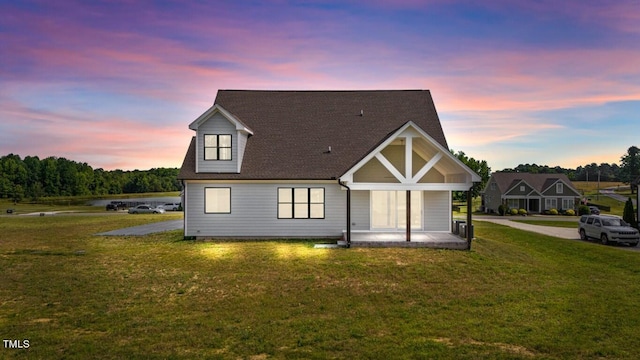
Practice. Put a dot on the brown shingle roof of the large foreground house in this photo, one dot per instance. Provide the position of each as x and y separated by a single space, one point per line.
294 129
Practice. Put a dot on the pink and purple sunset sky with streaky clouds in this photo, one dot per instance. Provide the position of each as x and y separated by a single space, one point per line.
116 83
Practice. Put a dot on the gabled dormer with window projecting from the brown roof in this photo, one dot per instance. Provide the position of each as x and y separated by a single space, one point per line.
221 139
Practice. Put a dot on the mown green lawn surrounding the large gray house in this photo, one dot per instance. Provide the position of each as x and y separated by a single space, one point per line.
516 295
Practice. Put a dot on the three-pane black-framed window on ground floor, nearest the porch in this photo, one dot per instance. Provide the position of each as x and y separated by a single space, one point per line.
300 203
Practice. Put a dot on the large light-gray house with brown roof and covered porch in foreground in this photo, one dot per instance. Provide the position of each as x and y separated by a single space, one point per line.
319 164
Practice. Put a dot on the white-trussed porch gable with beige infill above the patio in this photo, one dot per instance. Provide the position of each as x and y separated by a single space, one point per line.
410 159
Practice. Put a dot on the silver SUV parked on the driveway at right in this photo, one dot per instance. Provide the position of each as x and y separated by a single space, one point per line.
607 228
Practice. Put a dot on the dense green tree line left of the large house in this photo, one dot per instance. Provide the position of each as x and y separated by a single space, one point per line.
33 178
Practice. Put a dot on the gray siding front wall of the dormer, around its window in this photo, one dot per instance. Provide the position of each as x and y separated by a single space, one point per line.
217 124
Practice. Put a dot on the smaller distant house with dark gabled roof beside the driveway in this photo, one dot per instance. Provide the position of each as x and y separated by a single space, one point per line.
535 193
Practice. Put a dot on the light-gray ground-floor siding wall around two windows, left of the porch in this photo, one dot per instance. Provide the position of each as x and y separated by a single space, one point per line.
254 212
